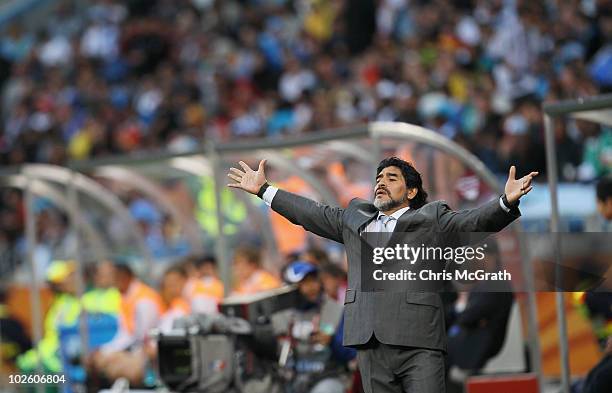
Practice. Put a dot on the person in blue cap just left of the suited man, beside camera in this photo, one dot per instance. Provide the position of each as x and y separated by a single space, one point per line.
313 330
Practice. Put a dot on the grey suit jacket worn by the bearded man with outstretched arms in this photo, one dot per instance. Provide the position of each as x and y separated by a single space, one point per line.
413 319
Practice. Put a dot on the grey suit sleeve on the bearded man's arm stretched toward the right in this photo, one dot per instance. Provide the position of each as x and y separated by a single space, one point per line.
489 217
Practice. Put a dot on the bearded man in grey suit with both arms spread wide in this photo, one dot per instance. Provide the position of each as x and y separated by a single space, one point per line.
399 336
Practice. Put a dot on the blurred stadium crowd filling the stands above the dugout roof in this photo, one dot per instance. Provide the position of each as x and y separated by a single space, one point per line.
116 77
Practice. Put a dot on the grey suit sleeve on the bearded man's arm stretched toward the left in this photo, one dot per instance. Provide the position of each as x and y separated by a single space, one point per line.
323 220
